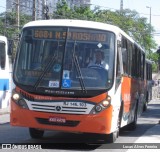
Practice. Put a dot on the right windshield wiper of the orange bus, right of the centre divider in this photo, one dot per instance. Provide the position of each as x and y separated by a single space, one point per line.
78 69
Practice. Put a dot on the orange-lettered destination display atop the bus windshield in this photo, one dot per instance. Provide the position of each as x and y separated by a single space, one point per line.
76 36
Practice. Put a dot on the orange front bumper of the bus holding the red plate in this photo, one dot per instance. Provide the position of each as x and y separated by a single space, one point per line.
93 123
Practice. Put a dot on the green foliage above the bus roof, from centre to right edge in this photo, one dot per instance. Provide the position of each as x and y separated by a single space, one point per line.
128 20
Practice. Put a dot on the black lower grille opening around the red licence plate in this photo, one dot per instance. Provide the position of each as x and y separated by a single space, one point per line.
69 123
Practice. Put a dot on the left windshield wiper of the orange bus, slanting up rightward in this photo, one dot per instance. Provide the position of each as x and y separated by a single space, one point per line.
46 69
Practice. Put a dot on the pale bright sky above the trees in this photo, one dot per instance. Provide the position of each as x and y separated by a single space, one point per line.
139 5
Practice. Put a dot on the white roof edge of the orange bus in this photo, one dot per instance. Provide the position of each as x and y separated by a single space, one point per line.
80 24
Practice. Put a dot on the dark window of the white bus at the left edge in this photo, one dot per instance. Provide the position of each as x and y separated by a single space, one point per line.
2 56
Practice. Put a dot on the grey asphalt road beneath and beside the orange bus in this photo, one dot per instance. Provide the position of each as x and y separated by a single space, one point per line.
60 141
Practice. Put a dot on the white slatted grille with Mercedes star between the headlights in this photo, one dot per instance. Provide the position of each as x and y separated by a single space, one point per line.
66 107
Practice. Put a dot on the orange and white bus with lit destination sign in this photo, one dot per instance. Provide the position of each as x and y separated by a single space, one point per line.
58 89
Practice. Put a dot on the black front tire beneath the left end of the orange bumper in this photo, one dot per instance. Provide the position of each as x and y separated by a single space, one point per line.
36 133
